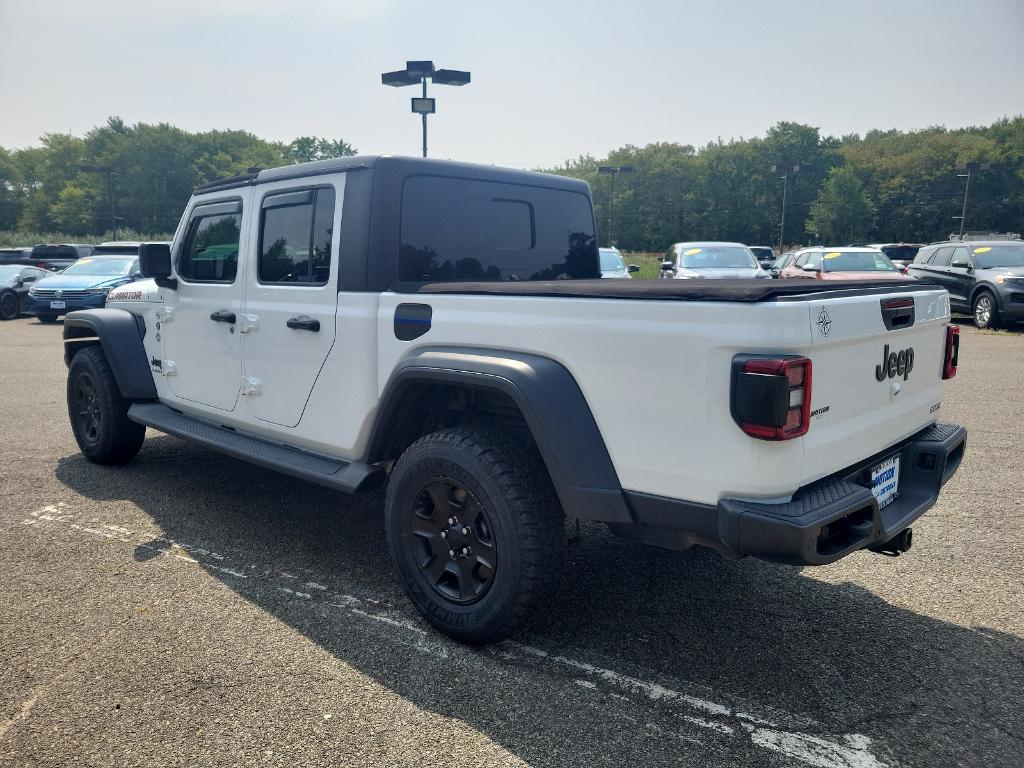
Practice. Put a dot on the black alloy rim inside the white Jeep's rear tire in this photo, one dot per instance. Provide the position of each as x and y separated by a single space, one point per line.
455 541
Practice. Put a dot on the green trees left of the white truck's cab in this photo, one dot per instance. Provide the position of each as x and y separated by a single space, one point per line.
62 186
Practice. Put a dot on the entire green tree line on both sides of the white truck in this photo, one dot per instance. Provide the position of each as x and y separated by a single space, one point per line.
884 187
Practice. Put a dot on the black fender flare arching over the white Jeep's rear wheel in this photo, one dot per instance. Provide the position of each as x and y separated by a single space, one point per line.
553 406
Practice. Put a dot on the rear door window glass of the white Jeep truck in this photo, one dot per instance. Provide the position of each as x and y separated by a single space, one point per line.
296 231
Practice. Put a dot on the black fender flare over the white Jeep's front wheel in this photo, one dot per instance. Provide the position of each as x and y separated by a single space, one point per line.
120 337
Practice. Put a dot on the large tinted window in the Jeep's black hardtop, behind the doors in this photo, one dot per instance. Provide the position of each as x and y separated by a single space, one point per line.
458 230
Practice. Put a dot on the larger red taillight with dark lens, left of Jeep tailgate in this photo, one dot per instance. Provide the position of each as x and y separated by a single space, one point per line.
772 397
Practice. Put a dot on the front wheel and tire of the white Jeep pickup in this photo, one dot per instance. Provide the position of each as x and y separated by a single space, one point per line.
99 414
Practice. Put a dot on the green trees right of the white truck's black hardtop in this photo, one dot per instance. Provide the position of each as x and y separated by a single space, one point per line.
884 187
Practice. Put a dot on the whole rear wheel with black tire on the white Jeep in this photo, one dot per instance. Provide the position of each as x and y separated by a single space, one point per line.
476 532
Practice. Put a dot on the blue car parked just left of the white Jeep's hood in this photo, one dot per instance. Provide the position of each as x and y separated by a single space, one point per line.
84 285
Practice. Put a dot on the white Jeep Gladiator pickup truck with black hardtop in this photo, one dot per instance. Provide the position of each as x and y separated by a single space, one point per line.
443 328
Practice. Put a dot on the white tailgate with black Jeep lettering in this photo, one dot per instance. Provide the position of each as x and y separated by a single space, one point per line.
864 399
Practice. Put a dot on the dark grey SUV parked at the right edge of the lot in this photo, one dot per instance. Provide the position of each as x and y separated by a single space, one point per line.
985 278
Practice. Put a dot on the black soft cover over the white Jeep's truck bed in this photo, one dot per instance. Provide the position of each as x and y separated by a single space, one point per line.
671 290
